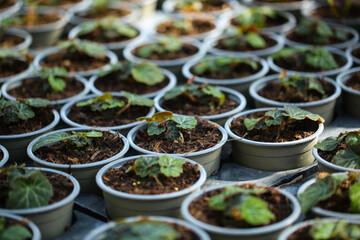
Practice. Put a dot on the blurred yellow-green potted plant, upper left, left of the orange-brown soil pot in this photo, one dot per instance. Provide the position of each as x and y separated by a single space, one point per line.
108 31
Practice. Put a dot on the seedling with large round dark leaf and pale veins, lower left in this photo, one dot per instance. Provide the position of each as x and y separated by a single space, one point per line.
28 188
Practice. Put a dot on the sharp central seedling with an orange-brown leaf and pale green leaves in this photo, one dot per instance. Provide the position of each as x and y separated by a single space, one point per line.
169 125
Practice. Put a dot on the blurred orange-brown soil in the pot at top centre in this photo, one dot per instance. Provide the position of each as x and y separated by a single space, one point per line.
197 26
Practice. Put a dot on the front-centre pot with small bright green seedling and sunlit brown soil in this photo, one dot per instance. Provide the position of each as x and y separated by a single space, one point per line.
148 185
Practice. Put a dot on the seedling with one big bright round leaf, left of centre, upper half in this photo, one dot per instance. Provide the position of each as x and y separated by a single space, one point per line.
143 72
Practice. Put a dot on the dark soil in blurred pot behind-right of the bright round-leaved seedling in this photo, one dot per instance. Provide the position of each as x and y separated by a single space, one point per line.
186 51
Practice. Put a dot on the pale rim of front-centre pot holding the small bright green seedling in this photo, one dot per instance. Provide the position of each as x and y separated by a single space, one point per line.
143 197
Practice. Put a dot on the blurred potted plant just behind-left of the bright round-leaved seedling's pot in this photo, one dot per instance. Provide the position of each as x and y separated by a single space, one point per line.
80 57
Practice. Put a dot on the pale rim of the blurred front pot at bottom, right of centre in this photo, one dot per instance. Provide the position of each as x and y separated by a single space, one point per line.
296 211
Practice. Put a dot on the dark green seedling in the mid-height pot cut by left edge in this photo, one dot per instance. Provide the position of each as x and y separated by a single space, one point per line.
15 111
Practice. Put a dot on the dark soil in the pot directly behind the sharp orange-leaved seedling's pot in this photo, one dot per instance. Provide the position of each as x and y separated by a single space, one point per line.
183 105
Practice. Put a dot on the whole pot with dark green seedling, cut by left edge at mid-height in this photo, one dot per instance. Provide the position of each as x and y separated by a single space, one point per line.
23 120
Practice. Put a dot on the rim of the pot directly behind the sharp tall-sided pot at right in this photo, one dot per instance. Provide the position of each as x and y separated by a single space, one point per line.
261 83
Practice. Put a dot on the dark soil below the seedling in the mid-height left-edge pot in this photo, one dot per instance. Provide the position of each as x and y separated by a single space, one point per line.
43 117
